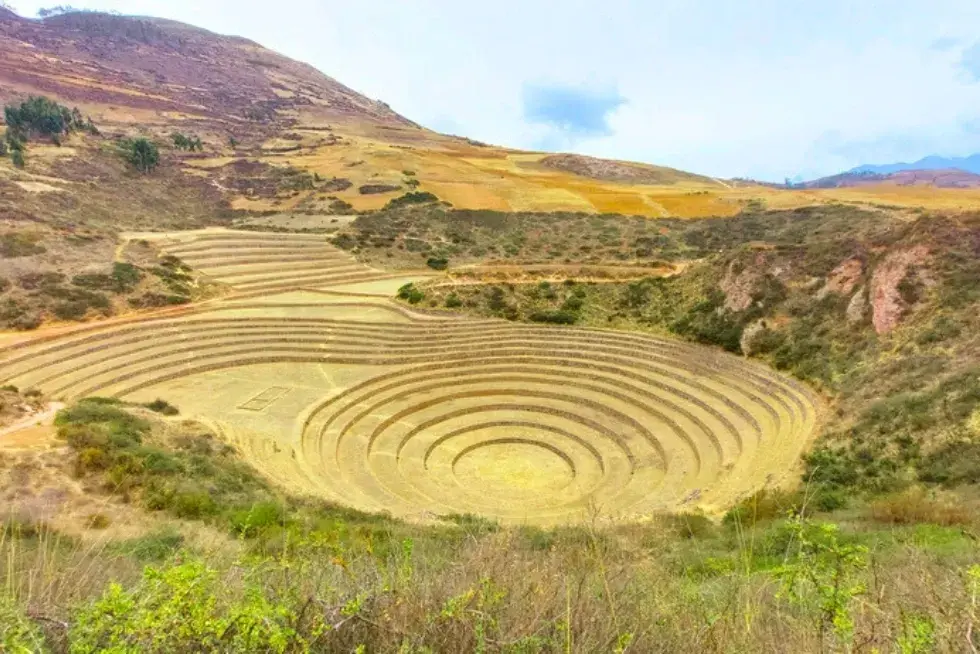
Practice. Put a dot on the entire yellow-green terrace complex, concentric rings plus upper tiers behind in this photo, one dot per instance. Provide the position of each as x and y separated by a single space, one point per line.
357 400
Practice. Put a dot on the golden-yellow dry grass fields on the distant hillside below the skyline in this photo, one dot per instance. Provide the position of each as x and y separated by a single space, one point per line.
474 177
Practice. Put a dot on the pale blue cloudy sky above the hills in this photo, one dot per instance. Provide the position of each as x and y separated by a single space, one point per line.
756 88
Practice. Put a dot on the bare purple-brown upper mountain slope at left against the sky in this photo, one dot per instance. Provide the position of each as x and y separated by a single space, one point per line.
169 68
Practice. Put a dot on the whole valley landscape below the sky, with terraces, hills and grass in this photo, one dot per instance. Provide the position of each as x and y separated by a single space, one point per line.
282 370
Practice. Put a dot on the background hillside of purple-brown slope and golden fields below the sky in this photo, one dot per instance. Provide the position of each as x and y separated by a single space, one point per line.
263 114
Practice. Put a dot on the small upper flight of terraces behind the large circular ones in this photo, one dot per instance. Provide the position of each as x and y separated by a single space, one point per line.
259 263
